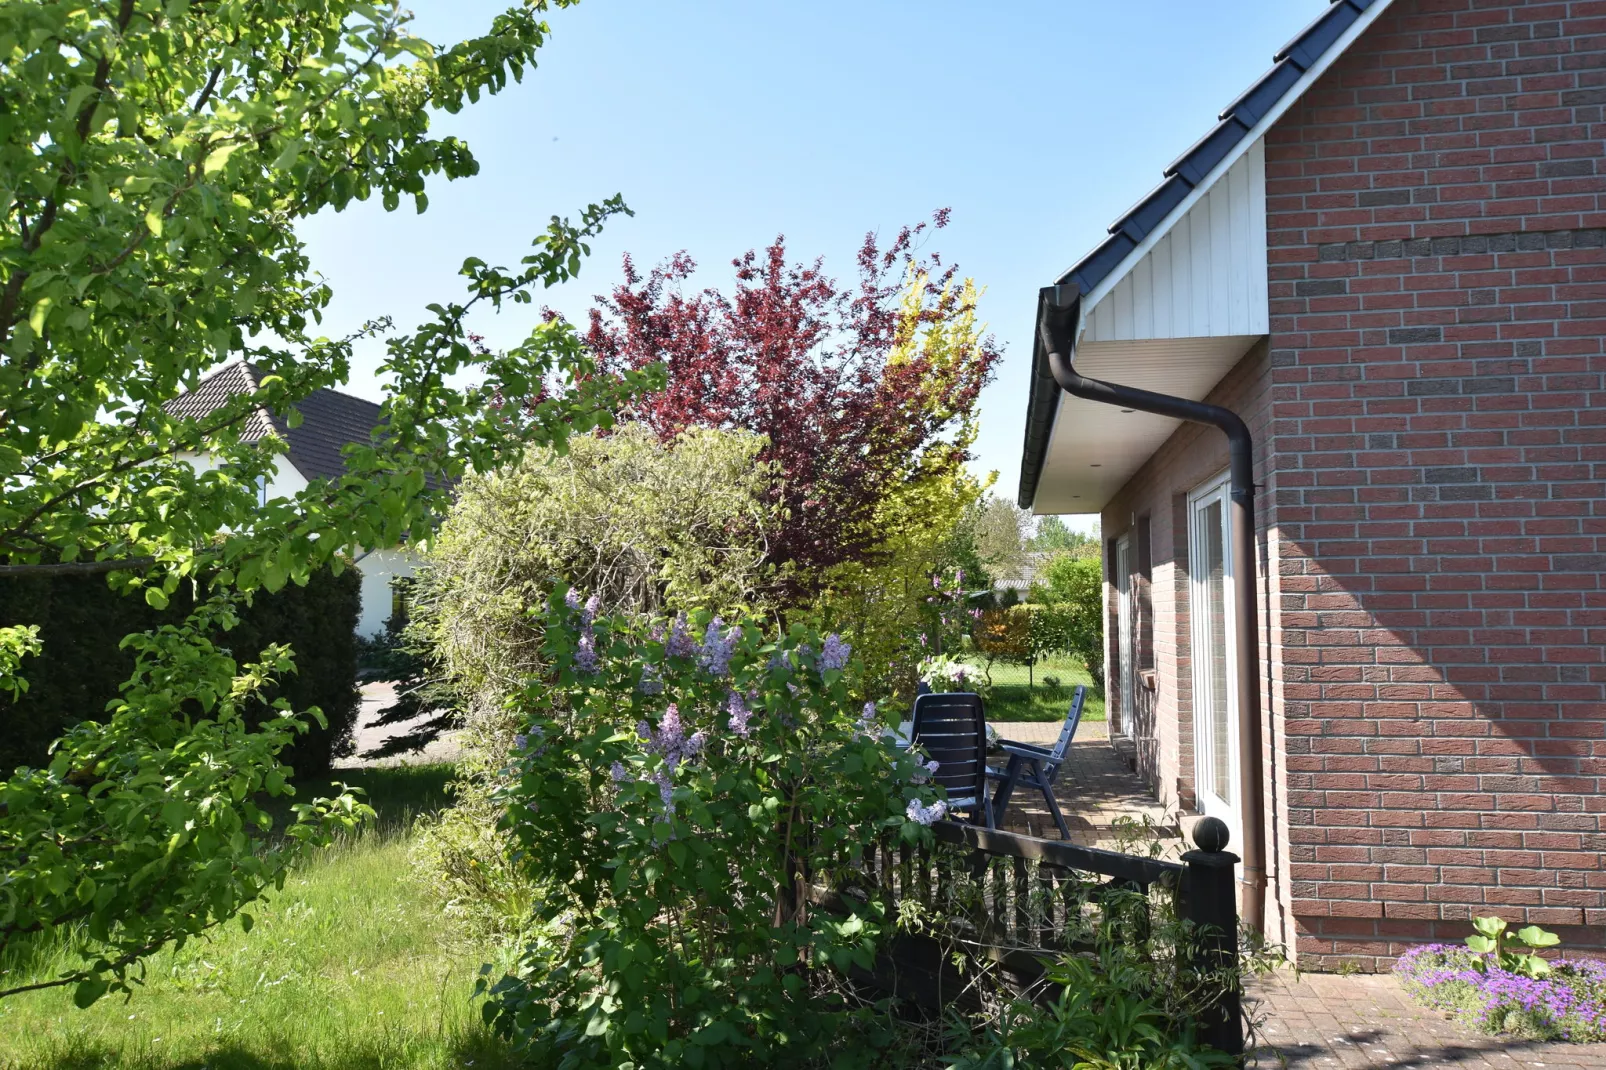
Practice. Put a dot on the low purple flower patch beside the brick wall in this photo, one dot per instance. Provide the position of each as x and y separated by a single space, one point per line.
1567 1003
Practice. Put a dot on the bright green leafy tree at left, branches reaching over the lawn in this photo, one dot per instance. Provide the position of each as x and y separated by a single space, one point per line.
155 161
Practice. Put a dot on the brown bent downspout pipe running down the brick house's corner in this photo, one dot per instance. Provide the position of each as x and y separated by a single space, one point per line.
1059 317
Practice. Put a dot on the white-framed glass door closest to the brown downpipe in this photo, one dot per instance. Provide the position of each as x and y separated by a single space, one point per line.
1215 684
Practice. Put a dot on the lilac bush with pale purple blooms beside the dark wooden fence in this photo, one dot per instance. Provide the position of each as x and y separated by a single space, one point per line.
687 796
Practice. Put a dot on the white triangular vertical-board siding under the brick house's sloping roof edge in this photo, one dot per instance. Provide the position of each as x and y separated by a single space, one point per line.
1207 277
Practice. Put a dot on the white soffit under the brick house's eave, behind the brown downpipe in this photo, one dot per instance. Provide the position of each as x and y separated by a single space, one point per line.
1096 449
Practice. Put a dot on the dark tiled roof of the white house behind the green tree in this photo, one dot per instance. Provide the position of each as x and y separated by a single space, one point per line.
330 420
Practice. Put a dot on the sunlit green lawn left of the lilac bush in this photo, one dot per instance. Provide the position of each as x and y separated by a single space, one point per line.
351 968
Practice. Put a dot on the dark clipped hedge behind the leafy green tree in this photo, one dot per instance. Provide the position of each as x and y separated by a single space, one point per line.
81 623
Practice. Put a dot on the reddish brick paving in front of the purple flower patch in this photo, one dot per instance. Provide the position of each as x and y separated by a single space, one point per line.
1326 1021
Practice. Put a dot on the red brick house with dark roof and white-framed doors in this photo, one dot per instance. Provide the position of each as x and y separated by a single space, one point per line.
1388 261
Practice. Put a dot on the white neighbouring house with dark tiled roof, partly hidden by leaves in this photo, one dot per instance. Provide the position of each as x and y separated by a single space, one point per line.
330 422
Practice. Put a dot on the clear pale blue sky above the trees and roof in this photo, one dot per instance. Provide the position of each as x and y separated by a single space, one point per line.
727 123
